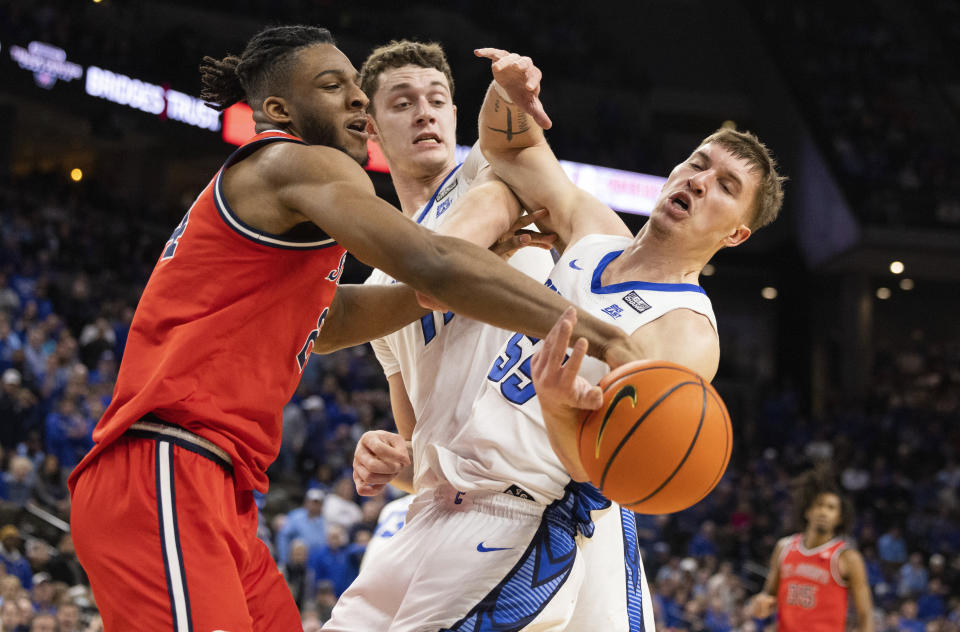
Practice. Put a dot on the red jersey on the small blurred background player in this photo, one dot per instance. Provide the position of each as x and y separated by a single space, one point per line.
812 596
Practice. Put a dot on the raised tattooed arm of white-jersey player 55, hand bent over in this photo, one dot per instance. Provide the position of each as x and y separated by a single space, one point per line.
512 140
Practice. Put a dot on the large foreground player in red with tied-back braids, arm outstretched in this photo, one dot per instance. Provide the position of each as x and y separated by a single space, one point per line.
163 517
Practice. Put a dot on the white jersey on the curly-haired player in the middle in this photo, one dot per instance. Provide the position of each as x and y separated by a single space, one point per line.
443 357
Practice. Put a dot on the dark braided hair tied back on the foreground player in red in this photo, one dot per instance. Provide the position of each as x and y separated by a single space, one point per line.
264 64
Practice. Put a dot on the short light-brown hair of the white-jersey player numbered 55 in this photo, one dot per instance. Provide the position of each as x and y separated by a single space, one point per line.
747 146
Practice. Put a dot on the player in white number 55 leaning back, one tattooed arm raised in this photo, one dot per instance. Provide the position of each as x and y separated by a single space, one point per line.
474 558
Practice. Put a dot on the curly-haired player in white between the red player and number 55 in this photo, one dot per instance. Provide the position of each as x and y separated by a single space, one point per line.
413 119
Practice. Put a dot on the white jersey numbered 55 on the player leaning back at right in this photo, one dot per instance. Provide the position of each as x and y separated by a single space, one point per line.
504 441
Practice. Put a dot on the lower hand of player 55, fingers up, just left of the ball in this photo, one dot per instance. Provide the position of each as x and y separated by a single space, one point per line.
559 382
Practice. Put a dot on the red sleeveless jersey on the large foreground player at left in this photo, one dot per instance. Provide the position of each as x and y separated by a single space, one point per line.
224 329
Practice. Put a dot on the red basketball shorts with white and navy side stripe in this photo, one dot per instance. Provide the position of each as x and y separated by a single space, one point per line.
169 544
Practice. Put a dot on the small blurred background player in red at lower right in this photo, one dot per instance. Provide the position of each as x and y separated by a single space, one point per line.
812 572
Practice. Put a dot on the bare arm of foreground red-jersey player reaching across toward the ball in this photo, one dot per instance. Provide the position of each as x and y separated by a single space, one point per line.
326 187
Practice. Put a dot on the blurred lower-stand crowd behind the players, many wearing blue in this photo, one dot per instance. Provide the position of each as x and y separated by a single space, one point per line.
63 322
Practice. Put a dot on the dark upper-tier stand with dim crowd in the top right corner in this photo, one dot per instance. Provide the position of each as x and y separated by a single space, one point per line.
878 85
